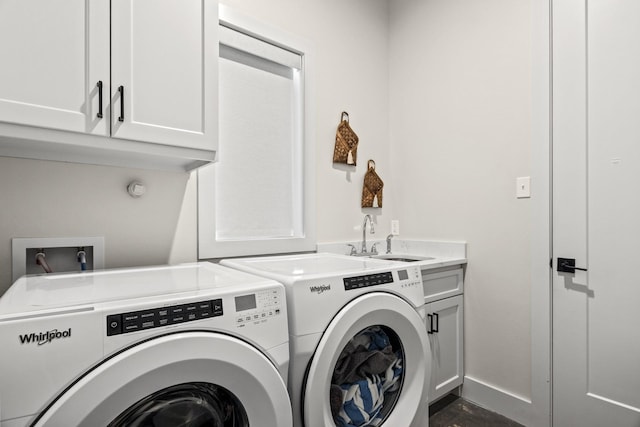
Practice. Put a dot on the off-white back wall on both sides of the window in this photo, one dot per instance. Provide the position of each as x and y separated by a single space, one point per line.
46 199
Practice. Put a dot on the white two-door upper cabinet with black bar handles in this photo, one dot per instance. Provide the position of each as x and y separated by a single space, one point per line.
120 82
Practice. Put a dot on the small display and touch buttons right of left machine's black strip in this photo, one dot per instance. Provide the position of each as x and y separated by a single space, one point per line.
258 307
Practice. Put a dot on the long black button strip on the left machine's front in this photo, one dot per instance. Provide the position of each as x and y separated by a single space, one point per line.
134 321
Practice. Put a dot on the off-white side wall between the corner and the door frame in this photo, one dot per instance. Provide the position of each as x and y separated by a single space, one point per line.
461 134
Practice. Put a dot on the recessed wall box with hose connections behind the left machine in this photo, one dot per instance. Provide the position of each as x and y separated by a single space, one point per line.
61 254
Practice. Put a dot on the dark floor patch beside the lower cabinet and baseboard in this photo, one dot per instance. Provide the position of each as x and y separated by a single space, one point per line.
453 411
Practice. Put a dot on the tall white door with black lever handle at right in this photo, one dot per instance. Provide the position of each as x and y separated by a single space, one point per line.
596 212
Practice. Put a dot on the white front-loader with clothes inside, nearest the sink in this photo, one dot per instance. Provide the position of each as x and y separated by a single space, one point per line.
338 306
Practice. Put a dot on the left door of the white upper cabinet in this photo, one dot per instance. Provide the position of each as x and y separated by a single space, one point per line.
53 53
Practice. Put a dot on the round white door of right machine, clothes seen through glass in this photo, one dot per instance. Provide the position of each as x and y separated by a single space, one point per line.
371 366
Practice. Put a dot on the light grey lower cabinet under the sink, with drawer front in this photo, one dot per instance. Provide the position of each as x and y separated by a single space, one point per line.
444 325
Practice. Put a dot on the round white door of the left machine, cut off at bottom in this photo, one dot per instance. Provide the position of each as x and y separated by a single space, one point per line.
196 372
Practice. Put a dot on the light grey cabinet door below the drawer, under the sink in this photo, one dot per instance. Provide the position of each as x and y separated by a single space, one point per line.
446 338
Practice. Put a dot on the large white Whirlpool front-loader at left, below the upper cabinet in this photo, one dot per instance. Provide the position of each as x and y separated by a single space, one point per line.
187 345
